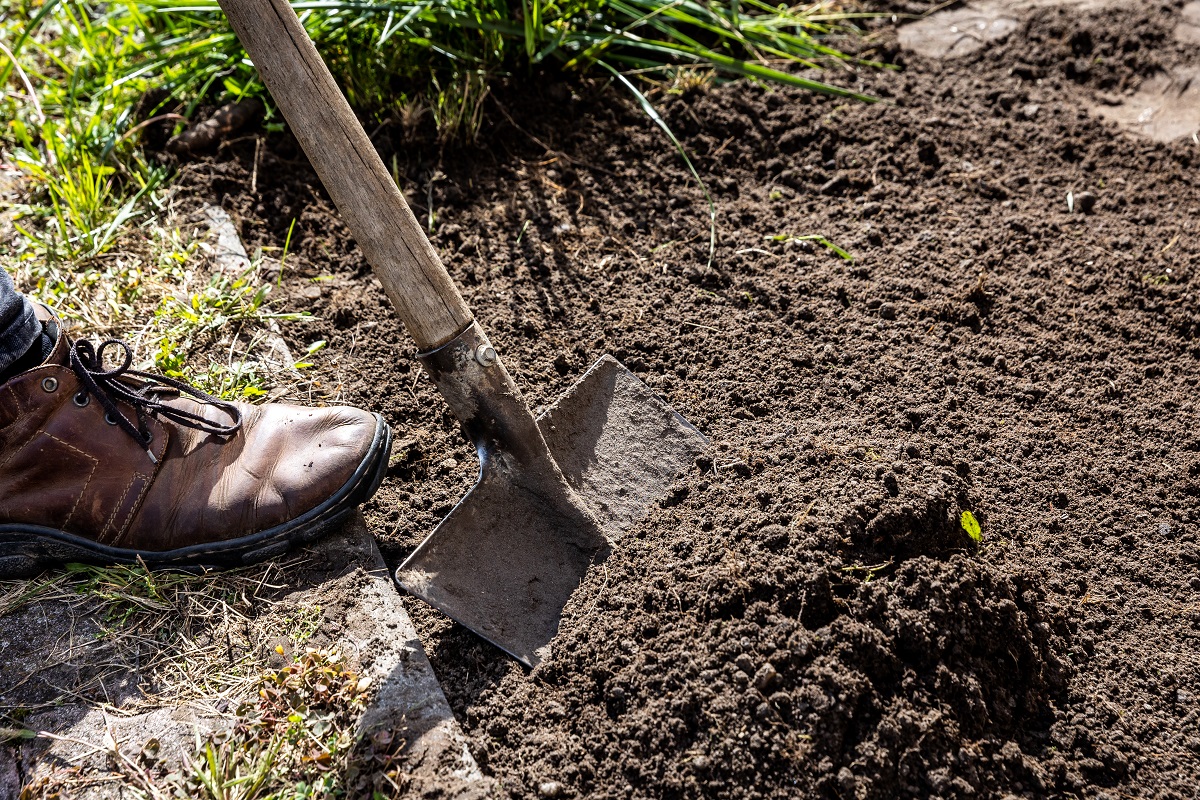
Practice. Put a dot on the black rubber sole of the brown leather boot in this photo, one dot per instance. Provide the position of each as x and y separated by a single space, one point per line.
28 550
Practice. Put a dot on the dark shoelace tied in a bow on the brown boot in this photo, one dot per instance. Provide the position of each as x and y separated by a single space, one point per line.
110 386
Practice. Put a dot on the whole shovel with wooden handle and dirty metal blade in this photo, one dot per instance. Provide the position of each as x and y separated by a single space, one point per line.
554 495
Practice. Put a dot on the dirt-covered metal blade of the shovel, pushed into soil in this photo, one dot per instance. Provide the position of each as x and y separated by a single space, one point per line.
507 560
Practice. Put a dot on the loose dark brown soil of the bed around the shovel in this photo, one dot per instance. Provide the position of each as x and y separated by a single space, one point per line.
805 615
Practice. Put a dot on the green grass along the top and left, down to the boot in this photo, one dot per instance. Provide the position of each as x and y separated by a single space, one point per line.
82 81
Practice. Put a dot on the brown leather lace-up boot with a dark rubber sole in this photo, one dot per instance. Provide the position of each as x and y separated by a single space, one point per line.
109 466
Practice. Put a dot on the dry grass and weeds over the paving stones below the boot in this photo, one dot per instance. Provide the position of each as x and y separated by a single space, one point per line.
201 641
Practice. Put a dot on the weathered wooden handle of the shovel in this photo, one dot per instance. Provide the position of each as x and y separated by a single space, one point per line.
376 213
